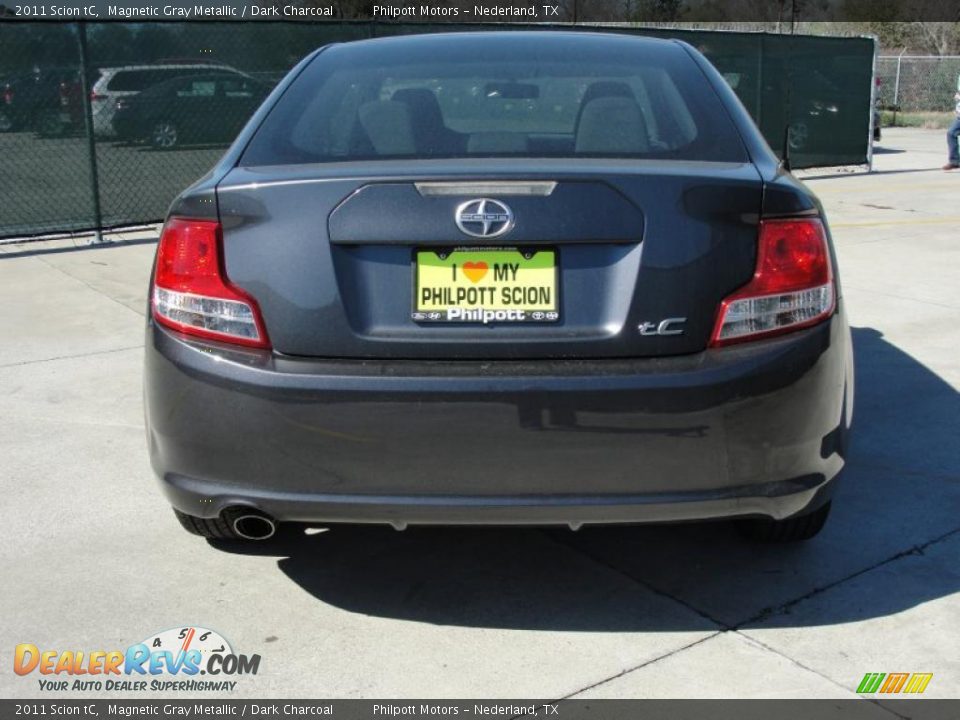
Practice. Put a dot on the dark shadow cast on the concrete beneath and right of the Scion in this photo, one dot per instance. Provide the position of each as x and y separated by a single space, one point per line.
899 493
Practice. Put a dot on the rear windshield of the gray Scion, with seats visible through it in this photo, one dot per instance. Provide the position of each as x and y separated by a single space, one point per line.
495 97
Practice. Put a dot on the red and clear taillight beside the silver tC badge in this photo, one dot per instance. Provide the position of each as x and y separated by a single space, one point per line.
791 288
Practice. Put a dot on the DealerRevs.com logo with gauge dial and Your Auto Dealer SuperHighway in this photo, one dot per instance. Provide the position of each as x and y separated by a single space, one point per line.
180 659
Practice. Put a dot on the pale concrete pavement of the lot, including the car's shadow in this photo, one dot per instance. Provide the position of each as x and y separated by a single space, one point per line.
91 558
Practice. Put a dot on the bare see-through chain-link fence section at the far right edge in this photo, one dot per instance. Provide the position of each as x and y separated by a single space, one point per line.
911 83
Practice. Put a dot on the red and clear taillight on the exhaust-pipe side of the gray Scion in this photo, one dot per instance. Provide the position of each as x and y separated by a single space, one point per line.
191 291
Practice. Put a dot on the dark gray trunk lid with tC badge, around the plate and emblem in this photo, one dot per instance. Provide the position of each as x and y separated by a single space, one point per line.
328 251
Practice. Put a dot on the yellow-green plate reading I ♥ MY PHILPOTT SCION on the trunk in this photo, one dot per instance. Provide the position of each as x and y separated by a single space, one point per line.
486 285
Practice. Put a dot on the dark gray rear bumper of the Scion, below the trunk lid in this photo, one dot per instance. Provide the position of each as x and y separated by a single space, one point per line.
752 430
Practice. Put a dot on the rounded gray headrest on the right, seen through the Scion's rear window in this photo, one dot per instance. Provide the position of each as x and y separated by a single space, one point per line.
612 125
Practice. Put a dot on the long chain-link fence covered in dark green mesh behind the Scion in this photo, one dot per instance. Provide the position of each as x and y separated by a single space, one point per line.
103 124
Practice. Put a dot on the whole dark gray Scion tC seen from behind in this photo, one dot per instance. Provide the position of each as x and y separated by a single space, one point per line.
538 278
